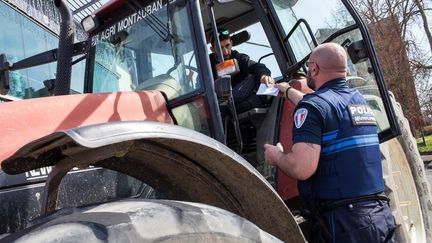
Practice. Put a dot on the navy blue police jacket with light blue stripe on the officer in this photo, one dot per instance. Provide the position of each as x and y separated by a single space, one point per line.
339 119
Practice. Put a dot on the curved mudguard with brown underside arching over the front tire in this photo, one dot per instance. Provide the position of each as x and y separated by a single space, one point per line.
179 163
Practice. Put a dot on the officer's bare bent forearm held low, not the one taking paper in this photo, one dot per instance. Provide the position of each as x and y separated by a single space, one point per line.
298 164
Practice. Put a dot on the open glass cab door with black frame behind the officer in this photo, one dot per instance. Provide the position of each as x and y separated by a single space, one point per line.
301 25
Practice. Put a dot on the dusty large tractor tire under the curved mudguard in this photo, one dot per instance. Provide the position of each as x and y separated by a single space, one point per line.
143 221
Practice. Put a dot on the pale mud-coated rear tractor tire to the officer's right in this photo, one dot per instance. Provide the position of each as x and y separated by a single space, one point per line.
407 184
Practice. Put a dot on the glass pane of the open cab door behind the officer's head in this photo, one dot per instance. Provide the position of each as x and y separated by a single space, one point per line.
307 23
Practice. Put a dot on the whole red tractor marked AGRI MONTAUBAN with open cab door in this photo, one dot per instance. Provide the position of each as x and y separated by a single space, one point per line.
143 153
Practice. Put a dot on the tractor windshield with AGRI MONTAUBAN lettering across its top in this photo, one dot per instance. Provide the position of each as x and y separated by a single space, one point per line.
147 50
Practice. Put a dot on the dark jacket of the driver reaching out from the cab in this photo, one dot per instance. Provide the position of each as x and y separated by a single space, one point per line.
247 66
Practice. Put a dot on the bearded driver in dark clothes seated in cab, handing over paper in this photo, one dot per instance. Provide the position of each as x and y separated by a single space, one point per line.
246 82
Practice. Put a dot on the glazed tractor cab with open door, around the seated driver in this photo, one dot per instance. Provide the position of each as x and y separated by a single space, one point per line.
164 45
